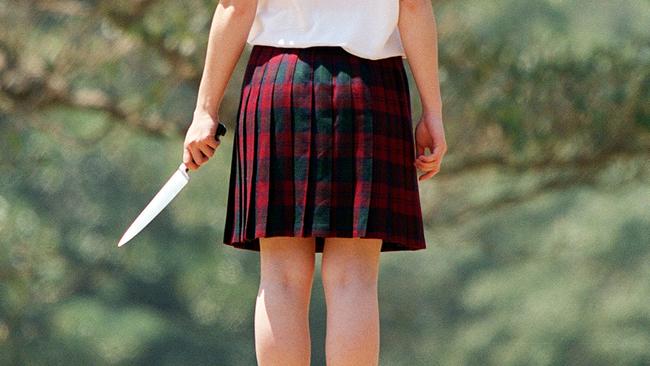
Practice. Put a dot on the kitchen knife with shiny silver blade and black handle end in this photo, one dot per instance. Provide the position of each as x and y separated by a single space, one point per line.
165 195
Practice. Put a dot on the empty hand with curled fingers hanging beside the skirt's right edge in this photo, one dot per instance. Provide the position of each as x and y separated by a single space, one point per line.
429 133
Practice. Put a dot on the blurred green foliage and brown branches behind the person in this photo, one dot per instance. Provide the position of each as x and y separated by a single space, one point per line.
538 225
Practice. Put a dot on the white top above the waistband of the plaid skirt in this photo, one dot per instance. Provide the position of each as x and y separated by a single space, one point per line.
366 28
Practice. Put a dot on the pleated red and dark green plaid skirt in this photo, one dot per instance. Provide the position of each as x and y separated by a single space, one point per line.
323 147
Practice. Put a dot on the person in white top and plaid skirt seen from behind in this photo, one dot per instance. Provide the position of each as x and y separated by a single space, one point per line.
324 157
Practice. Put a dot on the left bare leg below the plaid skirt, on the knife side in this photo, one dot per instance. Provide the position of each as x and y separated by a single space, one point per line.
282 307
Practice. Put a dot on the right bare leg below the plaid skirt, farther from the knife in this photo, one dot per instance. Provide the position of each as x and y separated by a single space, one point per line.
350 268
